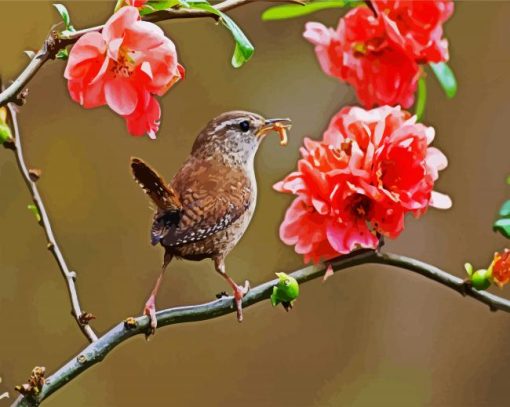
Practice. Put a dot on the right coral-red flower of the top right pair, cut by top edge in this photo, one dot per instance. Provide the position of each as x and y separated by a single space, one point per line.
417 26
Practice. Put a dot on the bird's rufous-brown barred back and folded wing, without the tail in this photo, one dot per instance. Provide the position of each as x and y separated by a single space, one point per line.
213 197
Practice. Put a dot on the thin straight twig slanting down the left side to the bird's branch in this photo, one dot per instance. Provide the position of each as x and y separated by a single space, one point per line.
30 177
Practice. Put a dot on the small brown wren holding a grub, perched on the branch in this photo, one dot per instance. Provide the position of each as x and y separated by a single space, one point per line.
206 208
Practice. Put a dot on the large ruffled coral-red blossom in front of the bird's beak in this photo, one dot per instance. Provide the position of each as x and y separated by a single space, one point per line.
370 170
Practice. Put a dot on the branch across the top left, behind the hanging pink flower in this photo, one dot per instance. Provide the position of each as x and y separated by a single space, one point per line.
56 41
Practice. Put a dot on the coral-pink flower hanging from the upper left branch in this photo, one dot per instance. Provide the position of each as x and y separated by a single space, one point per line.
124 67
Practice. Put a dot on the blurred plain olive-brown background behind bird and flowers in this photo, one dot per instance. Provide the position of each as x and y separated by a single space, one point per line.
369 336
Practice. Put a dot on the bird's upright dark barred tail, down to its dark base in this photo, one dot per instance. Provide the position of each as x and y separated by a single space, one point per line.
166 199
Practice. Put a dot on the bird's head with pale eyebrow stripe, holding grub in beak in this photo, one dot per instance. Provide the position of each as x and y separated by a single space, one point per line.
234 137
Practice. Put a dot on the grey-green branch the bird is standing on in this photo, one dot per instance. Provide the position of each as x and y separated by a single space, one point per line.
97 351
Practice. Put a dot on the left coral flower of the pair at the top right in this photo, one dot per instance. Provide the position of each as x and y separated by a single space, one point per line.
360 53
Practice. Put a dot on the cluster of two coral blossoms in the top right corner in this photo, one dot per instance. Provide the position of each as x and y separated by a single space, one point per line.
379 51
